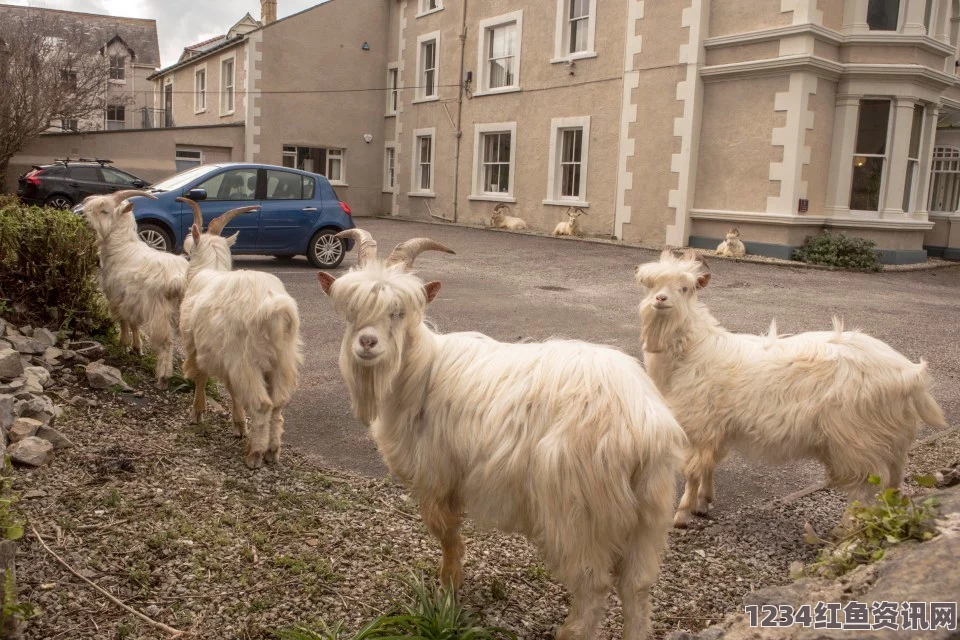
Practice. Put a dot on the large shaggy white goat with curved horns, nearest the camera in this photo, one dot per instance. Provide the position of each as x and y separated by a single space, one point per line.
566 442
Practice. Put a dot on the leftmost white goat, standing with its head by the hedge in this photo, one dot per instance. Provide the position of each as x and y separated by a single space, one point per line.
142 286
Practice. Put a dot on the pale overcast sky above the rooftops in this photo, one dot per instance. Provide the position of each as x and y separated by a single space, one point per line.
179 22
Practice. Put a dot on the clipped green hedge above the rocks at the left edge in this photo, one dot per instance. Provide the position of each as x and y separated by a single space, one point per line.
48 266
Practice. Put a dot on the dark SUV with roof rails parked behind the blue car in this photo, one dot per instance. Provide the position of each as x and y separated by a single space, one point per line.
67 182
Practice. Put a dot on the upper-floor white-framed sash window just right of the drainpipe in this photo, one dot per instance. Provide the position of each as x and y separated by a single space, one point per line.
499 62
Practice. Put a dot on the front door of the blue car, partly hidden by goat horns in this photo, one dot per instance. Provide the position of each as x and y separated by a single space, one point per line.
229 189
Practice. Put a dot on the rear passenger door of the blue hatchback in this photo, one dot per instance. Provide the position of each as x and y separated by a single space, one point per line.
287 212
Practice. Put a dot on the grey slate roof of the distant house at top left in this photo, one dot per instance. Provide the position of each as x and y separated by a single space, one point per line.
139 34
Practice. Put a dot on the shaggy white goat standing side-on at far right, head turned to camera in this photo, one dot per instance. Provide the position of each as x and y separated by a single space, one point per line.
841 397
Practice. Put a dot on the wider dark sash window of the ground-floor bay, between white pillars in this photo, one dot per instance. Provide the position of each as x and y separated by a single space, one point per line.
871 150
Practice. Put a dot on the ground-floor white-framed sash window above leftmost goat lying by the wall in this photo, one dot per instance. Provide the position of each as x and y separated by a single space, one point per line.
495 161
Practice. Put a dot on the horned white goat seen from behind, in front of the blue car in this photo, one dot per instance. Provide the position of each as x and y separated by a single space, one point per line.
243 328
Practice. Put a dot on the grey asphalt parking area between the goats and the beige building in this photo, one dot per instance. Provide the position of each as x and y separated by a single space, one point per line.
515 287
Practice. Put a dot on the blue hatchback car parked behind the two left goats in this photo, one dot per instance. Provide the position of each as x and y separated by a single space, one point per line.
299 211
